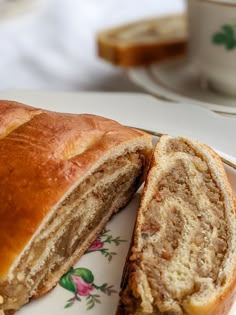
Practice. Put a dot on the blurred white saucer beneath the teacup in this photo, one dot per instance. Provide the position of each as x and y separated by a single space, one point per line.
177 80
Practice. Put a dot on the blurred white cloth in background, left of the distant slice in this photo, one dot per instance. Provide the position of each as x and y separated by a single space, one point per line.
50 44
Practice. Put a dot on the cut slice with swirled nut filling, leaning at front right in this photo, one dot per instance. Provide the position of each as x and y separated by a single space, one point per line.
183 259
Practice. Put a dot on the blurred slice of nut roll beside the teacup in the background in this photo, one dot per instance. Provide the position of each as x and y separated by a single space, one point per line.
144 42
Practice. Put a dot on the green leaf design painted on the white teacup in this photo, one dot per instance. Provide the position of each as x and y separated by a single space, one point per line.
226 36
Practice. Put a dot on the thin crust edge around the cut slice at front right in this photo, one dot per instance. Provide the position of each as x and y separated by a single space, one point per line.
219 304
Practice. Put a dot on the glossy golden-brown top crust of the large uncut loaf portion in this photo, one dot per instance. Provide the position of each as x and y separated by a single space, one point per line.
40 159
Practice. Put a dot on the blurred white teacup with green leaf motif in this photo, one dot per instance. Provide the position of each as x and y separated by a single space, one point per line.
212 42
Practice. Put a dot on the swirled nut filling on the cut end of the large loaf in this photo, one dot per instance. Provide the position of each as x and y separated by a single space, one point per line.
81 213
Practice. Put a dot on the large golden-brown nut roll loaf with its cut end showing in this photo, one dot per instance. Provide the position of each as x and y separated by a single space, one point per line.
62 176
